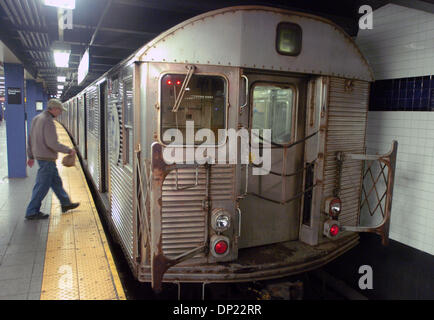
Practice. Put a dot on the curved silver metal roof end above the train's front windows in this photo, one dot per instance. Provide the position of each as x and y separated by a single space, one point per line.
245 36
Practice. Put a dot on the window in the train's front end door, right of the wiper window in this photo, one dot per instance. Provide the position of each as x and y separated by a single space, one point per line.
273 109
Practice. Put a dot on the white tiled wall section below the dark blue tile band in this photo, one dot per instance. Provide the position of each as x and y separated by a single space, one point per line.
412 221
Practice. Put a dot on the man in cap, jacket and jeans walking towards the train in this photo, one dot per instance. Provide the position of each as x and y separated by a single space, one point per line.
43 146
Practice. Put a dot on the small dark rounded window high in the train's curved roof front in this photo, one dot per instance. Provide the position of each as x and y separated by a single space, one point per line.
288 39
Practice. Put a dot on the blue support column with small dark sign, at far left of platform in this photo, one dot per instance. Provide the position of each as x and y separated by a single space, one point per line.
15 120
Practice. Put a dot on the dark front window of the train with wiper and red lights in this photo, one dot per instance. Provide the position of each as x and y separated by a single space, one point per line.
204 103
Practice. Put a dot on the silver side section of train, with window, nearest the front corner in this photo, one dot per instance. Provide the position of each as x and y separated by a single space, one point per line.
121 158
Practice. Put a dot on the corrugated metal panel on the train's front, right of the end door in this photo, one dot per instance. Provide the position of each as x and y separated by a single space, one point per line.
346 130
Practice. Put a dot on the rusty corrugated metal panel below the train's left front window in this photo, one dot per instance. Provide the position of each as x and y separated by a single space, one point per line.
183 217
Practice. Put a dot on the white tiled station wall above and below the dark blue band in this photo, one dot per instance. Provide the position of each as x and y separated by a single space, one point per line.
401 45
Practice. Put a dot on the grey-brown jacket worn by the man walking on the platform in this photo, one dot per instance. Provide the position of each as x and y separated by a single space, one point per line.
42 142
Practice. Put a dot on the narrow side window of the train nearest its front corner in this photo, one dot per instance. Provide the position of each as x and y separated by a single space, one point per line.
128 120
